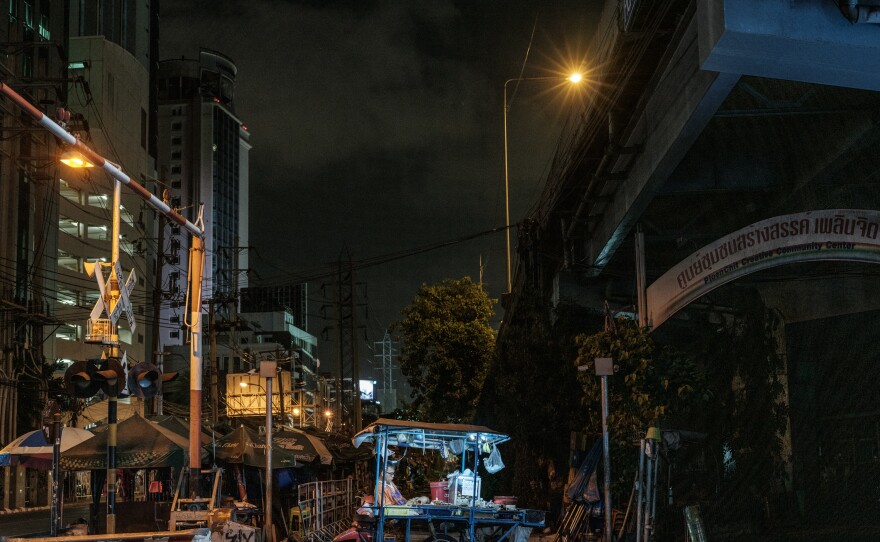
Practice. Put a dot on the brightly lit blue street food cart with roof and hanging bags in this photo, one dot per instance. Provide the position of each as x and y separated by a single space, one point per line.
459 513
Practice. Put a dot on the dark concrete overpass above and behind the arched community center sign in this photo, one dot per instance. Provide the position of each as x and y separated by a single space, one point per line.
733 112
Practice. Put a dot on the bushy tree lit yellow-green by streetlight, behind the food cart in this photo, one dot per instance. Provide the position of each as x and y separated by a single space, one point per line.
447 348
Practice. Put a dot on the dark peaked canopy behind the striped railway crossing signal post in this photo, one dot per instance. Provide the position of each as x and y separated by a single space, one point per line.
140 444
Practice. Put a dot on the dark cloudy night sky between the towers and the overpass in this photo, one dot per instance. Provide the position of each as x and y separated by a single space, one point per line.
377 127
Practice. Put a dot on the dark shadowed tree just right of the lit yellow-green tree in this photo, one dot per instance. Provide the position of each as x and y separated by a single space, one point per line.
532 395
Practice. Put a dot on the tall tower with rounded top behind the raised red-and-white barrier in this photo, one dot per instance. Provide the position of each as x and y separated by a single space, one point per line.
203 159
